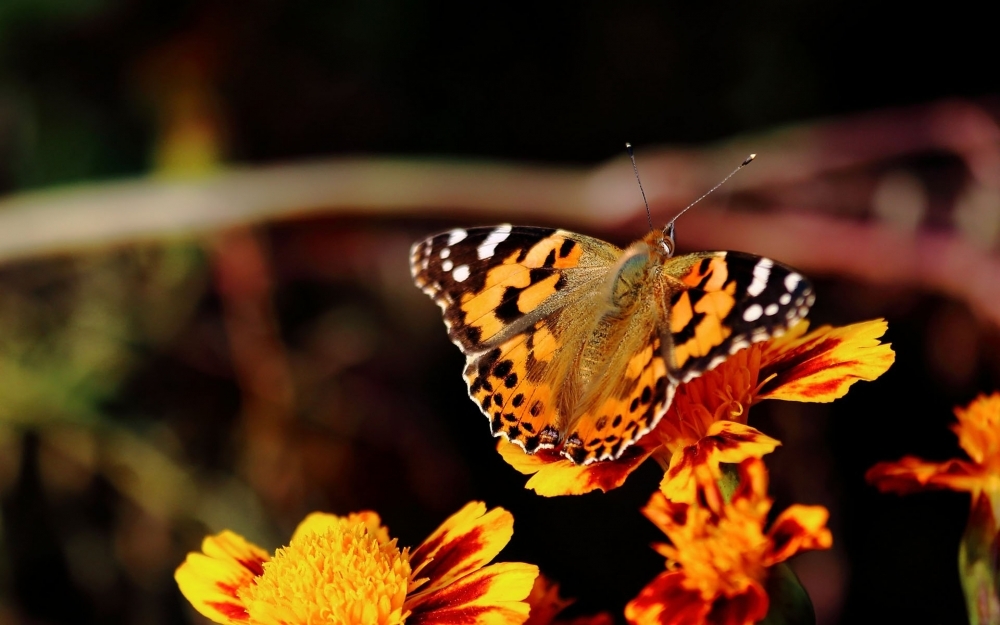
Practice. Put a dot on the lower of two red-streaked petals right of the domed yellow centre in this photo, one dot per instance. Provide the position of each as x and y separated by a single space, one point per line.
493 595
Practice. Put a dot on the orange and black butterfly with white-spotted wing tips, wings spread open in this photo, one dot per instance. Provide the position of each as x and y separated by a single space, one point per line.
575 344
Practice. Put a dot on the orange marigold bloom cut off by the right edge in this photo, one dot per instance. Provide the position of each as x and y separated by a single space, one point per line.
978 431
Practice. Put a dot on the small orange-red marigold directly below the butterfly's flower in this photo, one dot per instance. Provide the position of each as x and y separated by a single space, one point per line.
719 555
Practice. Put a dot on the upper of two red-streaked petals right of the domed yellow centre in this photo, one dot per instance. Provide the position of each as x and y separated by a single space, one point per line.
465 542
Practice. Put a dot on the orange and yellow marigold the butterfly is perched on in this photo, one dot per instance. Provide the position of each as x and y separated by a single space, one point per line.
708 414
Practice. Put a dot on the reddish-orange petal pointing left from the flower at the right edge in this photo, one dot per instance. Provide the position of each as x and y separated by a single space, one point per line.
912 474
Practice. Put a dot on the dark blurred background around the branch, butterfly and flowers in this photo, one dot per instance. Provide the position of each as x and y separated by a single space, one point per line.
99 89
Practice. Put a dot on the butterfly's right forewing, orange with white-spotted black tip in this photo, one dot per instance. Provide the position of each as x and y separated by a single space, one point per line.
728 301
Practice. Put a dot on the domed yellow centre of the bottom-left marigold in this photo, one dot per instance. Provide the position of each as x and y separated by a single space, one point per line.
341 575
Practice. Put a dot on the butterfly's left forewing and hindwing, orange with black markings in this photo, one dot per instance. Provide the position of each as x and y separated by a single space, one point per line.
507 294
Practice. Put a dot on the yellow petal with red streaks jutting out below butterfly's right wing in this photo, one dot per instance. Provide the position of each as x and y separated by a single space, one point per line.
822 365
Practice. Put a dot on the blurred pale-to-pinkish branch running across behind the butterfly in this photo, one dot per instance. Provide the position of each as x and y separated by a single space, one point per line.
827 169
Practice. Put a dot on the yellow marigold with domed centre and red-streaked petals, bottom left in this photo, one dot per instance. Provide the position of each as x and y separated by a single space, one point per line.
346 570
